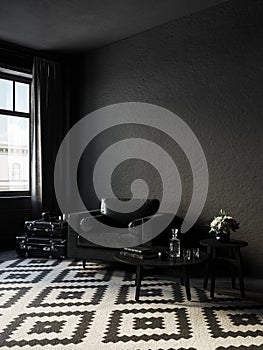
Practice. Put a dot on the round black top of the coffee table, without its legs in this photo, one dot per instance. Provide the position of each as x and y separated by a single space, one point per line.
158 262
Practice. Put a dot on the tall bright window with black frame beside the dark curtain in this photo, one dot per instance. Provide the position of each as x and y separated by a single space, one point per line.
14 132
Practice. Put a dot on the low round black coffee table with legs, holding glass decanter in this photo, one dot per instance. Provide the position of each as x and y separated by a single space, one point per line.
179 264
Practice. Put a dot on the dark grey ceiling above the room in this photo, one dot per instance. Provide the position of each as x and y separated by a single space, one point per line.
73 25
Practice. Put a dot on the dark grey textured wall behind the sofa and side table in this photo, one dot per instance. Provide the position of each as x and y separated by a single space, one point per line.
208 69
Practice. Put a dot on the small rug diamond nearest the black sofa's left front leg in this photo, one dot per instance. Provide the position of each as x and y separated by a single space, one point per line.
84 275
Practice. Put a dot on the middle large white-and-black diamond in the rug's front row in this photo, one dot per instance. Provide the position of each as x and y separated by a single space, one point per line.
131 324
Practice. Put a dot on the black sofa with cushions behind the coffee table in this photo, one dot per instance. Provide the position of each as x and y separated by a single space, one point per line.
80 247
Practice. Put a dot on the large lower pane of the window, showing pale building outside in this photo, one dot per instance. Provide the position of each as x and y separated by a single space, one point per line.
14 153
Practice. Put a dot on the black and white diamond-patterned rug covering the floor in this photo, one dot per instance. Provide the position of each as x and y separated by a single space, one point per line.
50 304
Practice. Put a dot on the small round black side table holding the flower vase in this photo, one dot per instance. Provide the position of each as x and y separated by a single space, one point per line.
233 259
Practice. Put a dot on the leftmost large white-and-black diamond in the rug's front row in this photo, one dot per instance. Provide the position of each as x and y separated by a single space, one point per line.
51 328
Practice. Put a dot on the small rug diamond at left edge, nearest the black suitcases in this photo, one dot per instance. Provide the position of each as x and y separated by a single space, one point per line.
22 276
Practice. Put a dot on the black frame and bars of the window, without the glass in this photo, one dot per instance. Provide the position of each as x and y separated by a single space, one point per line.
21 77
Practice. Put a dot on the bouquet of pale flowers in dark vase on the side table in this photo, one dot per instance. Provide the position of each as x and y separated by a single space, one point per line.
222 225
